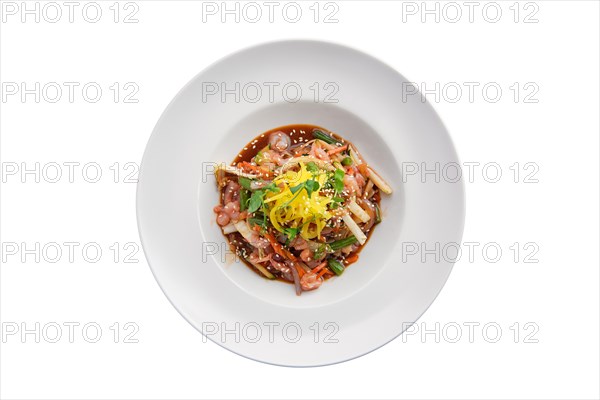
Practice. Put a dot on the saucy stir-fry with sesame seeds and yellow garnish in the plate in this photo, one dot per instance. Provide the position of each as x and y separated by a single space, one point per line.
298 204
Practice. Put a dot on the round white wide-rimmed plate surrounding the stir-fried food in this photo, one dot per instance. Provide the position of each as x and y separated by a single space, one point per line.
376 298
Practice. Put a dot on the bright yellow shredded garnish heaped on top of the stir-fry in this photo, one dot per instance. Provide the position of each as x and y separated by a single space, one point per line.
293 210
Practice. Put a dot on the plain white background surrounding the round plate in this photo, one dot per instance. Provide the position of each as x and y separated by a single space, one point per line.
558 295
